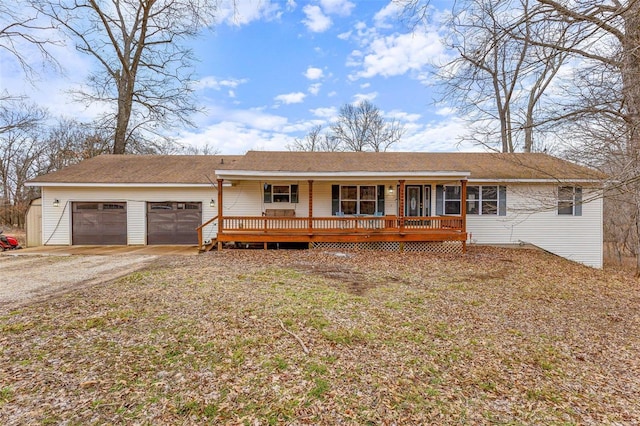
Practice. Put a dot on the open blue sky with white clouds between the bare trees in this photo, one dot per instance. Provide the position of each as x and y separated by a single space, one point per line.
273 69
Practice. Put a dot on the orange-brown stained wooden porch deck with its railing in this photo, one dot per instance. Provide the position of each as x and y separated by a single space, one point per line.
350 229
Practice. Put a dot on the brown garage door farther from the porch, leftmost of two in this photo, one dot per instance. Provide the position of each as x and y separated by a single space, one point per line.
99 223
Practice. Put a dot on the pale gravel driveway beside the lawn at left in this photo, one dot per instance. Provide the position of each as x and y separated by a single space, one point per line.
27 279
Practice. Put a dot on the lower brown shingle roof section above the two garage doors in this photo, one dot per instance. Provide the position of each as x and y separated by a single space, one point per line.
144 169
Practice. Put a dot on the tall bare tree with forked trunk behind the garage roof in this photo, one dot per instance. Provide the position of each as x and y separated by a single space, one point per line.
143 65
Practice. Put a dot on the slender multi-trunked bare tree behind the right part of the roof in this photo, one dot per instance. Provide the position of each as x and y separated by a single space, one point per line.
499 77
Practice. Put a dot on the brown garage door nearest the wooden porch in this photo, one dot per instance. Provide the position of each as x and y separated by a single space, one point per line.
173 222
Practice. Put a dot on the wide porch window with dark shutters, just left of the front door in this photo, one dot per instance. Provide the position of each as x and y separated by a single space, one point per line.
358 199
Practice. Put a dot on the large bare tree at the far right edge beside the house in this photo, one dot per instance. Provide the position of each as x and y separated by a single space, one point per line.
602 107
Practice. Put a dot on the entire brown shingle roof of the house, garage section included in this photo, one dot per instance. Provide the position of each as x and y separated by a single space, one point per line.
200 169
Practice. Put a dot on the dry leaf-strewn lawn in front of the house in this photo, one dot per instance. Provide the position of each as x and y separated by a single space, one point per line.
497 336
